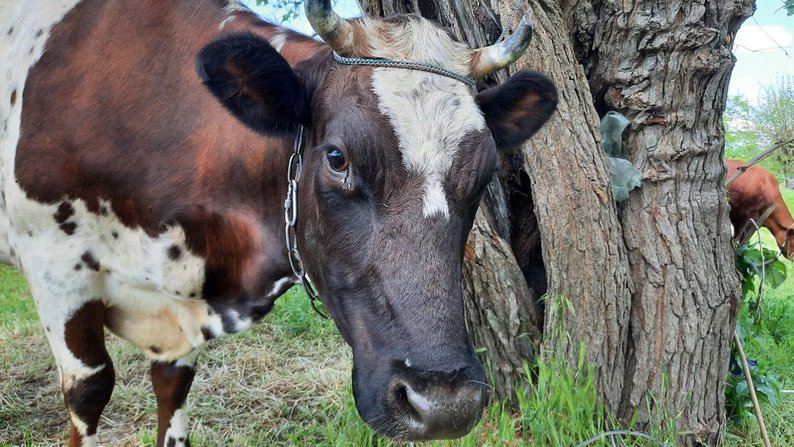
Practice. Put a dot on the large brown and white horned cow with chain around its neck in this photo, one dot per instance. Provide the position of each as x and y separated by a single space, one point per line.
136 198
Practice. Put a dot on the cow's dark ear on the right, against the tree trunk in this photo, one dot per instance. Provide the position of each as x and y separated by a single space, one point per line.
517 108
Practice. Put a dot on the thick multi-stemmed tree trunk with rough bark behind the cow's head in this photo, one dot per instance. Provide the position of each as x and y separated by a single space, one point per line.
649 288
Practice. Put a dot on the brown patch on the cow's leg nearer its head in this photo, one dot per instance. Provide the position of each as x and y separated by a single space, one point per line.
171 385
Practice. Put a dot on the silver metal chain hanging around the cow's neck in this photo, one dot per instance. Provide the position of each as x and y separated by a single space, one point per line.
294 168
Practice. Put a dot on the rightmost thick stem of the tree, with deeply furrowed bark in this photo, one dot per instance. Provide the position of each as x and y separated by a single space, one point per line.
666 66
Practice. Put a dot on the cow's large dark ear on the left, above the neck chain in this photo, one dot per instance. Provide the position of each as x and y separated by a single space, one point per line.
255 83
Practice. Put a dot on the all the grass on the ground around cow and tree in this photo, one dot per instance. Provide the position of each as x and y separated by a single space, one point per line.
286 382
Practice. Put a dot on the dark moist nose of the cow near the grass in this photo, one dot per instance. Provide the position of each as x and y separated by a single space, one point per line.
436 409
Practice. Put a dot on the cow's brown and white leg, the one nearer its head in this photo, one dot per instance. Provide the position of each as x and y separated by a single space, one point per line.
171 382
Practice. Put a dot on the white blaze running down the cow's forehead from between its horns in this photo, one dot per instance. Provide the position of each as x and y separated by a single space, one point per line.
430 113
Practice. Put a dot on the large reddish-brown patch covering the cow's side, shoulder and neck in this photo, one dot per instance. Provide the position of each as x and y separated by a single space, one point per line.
126 155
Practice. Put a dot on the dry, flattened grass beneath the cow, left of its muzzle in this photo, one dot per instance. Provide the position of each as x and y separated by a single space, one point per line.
261 387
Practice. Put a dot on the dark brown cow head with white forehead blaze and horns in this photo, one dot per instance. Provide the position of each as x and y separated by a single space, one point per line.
395 164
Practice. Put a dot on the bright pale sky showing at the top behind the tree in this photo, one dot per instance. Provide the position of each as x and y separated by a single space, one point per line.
764 45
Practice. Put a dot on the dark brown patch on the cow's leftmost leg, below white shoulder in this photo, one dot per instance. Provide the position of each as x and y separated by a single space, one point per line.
85 338
